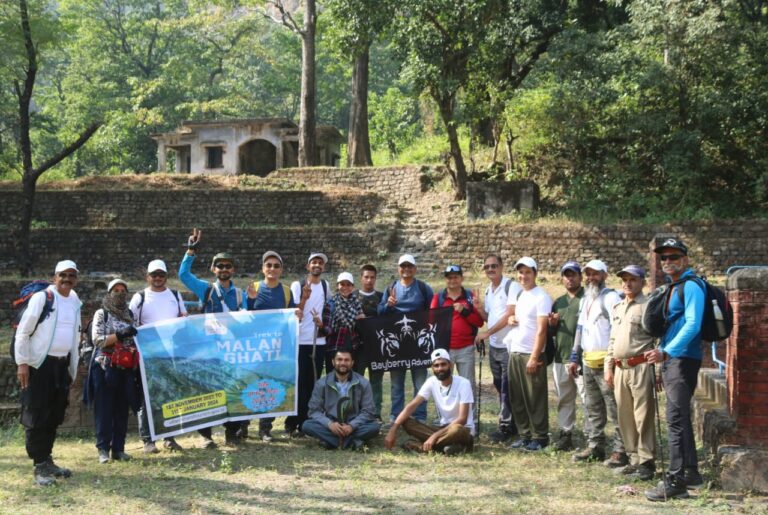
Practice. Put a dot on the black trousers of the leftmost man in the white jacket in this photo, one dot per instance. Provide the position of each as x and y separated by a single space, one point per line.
43 404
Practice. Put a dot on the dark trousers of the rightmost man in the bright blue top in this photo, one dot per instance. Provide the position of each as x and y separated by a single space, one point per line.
680 376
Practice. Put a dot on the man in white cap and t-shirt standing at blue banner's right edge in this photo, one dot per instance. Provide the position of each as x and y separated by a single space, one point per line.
310 295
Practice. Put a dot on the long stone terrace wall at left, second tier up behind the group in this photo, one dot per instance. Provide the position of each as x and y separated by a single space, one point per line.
189 208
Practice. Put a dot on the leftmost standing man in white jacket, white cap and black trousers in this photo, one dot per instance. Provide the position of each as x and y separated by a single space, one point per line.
46 357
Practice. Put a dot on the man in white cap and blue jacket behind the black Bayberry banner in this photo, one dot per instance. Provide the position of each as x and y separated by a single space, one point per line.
404 296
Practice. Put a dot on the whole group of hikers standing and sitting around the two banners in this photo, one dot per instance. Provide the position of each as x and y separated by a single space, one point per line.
602 355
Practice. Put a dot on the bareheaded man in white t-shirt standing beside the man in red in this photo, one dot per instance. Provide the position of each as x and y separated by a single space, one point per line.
496 311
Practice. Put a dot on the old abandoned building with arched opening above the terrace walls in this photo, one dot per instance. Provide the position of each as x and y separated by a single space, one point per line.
253 146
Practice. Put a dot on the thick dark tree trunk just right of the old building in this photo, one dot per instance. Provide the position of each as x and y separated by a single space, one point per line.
358 143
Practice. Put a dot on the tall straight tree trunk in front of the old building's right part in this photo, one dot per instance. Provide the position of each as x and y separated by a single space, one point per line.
307 121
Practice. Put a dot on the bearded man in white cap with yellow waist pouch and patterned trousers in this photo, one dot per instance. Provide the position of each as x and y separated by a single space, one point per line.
592 338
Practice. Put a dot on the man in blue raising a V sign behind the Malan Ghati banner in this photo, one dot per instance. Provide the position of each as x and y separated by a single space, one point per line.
221 296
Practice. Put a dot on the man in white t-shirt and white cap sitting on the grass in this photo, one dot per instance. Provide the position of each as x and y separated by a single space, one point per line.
453 400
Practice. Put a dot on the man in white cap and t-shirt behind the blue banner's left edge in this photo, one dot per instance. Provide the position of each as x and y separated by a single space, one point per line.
155 303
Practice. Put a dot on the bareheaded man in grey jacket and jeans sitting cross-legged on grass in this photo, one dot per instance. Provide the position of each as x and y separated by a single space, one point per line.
341 410
